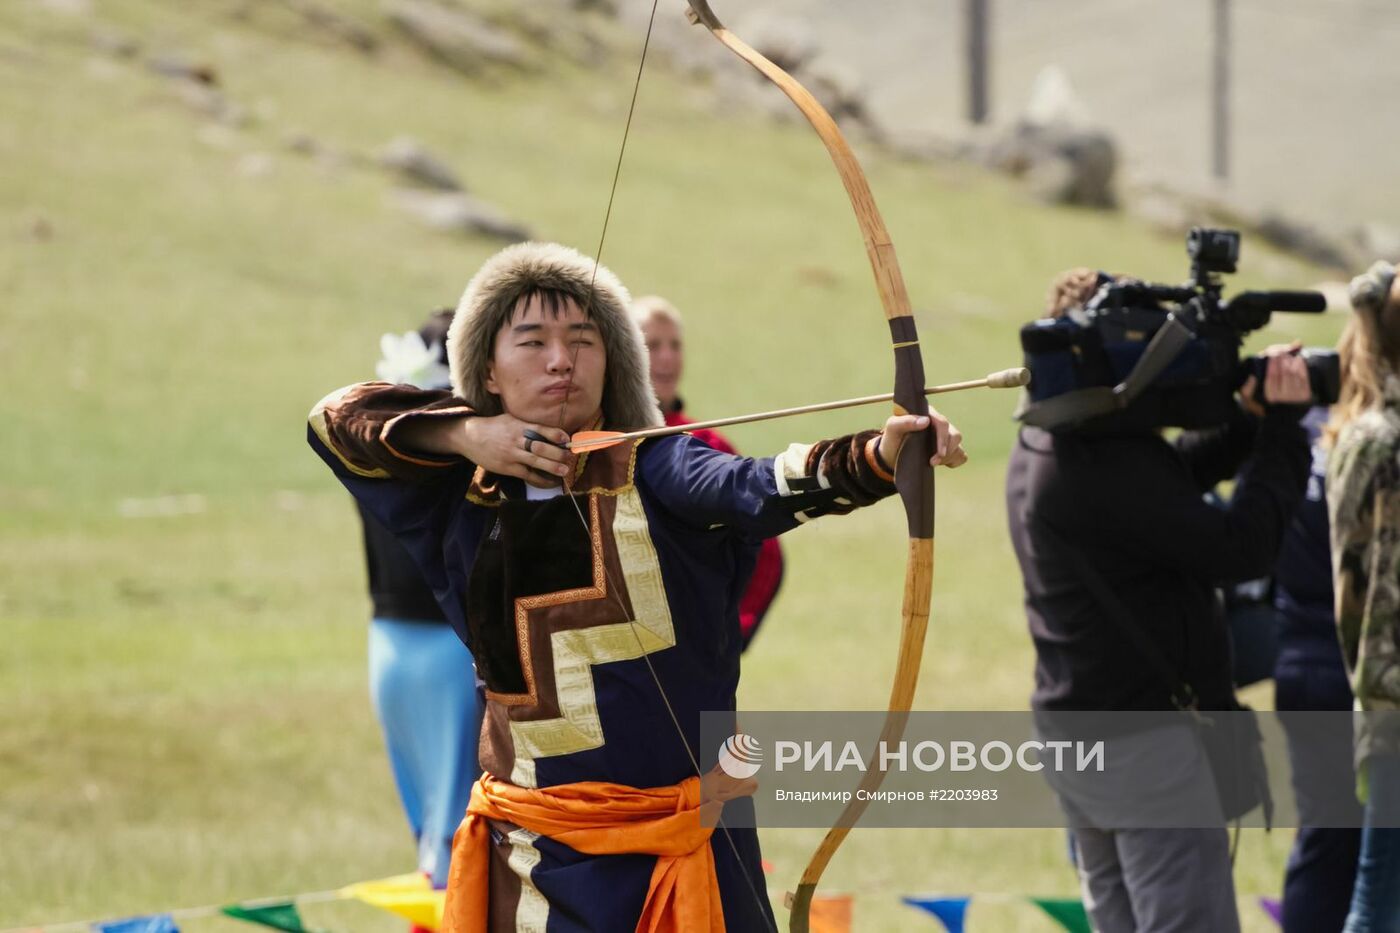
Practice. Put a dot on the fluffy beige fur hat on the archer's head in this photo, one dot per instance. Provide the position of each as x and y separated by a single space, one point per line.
491 298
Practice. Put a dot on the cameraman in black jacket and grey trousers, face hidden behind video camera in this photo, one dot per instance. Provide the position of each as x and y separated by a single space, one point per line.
1130 504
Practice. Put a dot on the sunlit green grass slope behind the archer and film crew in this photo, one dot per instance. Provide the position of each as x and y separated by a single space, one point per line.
183 698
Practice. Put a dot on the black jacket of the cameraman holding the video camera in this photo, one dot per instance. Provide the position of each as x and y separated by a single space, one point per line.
1132 505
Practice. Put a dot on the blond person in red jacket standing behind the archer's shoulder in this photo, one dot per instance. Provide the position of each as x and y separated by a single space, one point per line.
661 326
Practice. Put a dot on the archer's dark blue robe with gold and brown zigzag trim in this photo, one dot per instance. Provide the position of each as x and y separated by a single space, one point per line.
576 606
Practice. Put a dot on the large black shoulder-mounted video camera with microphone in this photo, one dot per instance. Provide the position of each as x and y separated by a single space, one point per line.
1146 355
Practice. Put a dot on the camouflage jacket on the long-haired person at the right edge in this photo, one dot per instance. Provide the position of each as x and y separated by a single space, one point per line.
1364 506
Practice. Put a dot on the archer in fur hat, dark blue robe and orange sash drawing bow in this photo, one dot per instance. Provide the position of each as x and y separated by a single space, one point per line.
598 595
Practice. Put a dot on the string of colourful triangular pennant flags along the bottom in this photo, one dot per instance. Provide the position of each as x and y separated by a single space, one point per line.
412 899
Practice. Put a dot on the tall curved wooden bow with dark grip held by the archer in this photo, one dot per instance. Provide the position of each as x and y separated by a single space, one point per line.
913 476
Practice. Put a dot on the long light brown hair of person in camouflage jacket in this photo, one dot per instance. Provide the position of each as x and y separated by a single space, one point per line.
1368 350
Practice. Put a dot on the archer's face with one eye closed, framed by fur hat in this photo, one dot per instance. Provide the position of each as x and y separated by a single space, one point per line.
548 366
